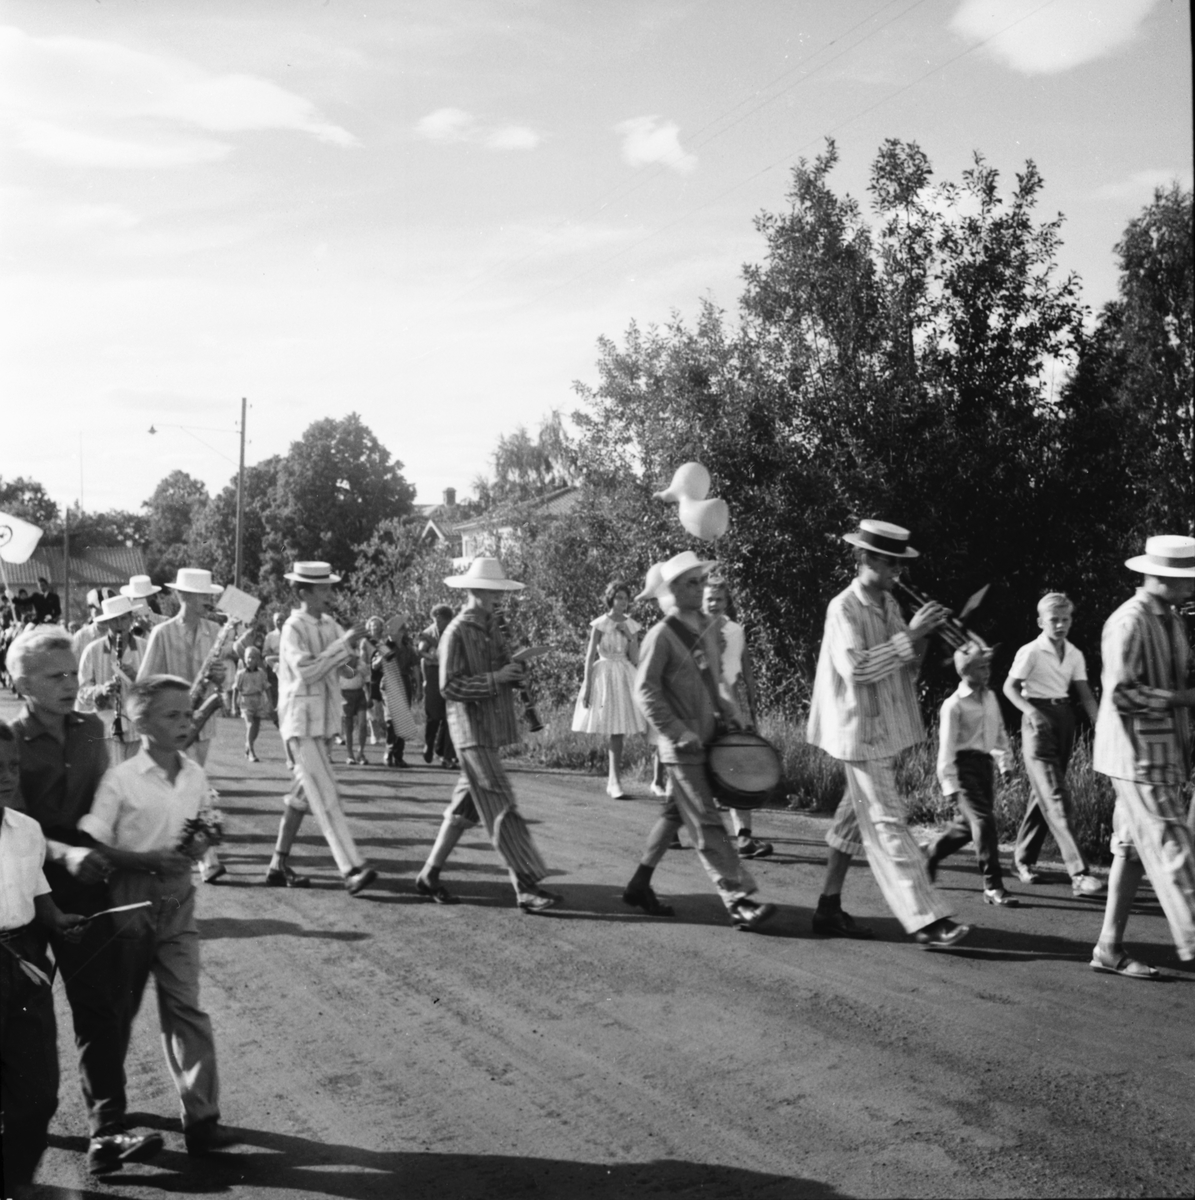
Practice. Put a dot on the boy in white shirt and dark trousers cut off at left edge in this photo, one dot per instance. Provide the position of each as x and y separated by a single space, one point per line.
28 1033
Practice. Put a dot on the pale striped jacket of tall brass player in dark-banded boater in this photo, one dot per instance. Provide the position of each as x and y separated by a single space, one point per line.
864 703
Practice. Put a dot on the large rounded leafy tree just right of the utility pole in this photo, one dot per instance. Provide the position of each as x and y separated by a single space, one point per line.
334 488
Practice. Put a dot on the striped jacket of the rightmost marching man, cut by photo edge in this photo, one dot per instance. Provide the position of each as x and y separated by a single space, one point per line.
1138 735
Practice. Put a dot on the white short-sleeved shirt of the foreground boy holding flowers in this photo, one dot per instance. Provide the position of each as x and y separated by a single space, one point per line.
137 808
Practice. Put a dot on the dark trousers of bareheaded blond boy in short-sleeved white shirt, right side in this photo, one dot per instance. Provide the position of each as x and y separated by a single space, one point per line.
1048 740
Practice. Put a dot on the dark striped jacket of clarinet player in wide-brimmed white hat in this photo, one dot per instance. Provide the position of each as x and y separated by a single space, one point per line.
481 712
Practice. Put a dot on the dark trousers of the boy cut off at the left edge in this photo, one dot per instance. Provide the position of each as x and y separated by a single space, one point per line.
28 1059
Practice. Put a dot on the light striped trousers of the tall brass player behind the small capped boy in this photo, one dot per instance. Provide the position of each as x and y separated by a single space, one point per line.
872 818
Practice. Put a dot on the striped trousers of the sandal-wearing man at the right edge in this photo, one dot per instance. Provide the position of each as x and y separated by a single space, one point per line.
1149 824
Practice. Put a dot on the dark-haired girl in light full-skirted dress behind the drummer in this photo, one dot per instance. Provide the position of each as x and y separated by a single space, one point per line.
606 704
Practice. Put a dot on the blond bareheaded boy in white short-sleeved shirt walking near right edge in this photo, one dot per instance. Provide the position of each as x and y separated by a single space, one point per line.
1040 683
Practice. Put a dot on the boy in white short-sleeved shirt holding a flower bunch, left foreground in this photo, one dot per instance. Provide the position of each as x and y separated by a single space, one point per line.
143 817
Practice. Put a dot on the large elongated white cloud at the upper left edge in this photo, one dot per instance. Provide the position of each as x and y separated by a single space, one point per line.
97 104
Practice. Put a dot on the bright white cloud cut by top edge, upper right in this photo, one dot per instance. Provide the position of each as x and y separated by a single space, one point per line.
1060 37
